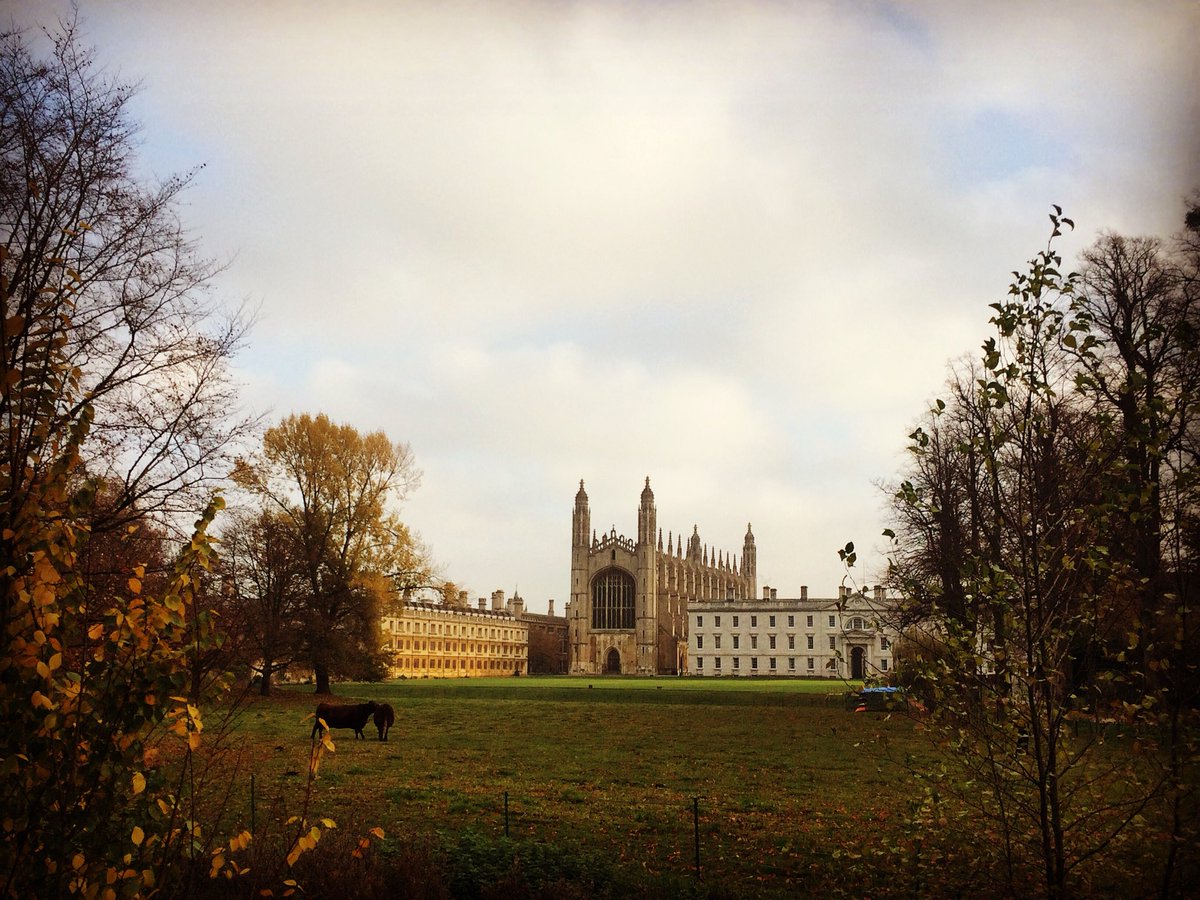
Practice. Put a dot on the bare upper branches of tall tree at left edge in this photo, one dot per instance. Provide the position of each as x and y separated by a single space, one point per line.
98 262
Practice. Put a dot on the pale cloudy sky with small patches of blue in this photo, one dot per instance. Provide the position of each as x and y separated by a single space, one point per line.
733 248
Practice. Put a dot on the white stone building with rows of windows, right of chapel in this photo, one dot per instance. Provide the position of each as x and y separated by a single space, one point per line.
837 638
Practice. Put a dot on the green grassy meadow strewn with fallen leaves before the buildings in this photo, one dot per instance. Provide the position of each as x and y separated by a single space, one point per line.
605 788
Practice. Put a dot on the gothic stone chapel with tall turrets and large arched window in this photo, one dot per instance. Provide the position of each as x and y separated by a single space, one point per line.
629 598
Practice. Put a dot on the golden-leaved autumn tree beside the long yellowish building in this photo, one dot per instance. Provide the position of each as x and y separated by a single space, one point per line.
334 488
